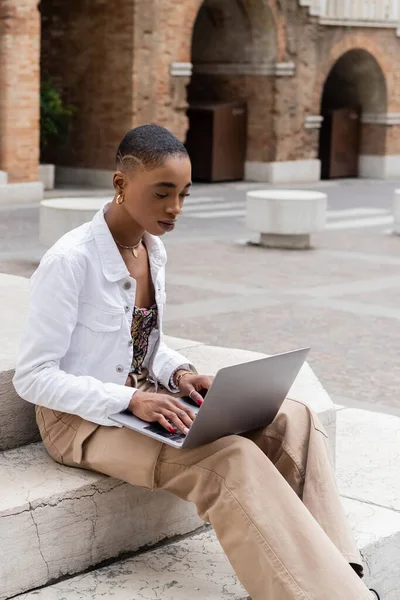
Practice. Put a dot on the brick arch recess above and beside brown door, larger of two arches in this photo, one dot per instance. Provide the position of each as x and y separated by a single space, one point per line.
234 54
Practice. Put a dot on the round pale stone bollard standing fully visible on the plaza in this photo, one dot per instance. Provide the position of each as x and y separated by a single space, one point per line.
286 218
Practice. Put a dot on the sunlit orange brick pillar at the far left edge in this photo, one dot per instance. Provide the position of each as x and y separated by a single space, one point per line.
19 89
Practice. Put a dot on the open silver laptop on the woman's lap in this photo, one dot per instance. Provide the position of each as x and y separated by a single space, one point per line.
242 398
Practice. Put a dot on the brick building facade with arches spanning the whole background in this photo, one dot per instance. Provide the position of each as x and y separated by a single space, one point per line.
112 61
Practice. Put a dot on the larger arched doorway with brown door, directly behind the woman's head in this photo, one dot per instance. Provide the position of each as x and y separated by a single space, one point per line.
231 91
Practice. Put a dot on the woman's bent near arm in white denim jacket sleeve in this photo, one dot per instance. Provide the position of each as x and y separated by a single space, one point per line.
52 318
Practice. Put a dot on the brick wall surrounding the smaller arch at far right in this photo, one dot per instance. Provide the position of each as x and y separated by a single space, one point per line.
315 49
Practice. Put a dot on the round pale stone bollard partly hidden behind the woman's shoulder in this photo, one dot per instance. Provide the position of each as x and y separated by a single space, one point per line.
60 215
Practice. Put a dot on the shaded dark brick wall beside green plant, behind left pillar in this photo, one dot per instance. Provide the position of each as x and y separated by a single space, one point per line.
87 50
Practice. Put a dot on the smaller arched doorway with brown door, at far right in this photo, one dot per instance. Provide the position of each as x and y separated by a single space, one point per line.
354 94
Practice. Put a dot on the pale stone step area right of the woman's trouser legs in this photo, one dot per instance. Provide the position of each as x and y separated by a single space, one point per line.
367 465
